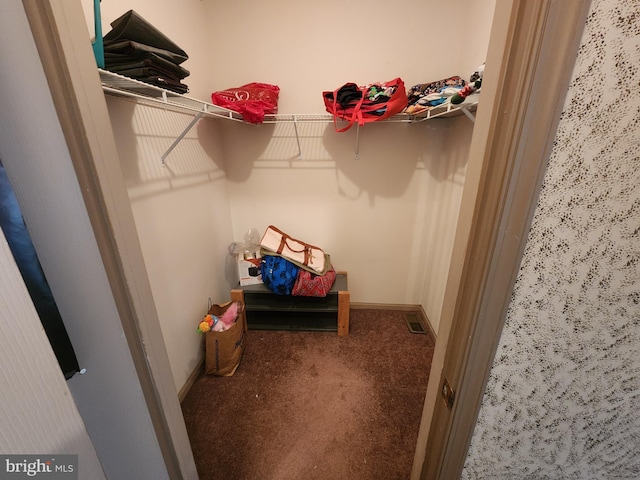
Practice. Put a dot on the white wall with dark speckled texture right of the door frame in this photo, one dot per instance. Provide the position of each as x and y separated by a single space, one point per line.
562 399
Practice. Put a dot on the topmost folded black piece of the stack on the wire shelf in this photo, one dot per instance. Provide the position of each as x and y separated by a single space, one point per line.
132 27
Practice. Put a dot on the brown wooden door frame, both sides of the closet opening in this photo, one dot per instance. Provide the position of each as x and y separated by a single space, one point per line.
529 64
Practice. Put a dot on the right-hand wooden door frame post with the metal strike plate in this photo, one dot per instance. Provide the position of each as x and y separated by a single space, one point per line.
530 61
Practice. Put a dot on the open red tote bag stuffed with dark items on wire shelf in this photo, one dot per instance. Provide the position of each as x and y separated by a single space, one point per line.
371 103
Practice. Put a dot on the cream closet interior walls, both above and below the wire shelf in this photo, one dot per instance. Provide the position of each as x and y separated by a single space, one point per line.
387 218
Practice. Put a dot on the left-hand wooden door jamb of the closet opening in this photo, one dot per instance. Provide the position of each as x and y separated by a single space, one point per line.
79 101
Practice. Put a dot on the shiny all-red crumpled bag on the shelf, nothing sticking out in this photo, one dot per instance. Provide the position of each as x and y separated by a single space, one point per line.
252 101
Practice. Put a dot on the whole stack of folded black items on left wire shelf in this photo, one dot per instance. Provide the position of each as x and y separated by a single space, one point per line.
136 49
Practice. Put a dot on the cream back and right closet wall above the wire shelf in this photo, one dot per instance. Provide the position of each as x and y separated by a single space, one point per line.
308 47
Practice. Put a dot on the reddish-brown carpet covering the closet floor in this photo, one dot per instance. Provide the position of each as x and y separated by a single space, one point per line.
312 405
